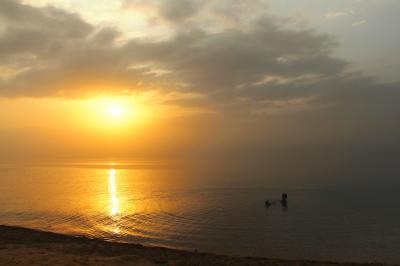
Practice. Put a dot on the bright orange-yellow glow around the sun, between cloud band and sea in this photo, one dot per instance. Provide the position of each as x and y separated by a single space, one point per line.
106 126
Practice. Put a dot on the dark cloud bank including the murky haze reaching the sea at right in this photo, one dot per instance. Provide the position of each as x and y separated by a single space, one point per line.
286 102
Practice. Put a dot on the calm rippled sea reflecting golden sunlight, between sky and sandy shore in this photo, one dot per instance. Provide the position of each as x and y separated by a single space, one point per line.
208 210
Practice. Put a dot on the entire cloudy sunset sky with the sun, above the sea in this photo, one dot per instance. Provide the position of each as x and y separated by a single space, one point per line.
310 86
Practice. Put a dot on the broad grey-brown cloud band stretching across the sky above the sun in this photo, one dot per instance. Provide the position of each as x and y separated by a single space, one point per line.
255 69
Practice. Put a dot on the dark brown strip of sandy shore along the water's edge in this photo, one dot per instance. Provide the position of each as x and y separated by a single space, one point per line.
20 246
